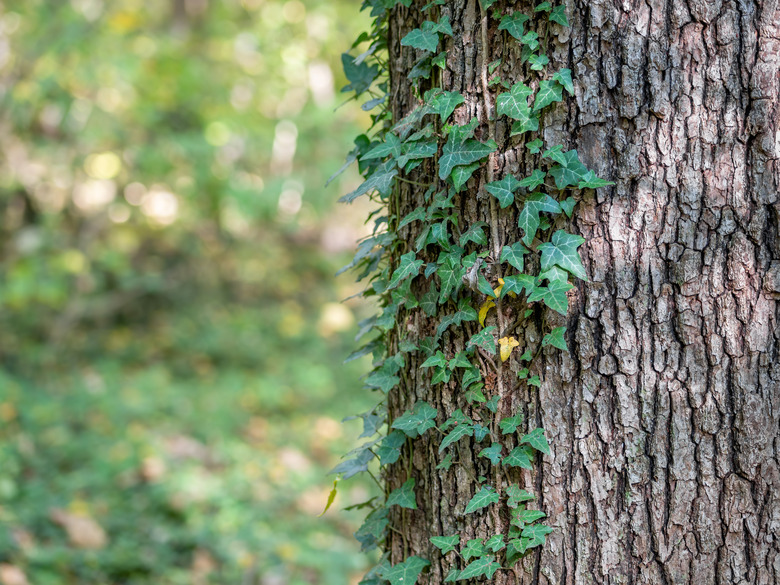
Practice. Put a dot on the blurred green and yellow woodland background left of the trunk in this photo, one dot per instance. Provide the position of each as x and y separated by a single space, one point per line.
171 331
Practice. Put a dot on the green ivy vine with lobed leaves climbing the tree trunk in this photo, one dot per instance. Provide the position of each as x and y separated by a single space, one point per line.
459 274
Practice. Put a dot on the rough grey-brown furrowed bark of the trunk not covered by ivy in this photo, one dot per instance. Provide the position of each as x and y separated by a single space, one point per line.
664 418
